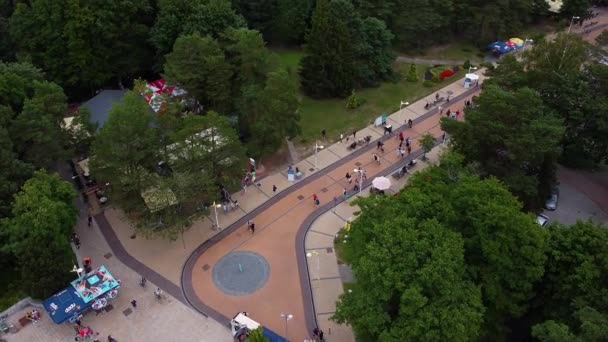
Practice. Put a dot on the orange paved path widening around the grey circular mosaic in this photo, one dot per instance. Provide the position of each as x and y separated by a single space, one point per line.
281 225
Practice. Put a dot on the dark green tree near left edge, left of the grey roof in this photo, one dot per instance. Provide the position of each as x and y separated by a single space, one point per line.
36 131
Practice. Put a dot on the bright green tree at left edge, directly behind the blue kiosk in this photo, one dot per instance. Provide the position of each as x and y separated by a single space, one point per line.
42 211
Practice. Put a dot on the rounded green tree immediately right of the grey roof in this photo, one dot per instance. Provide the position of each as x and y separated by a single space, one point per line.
125 146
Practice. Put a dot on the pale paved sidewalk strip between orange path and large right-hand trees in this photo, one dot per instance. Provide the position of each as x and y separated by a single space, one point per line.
326 275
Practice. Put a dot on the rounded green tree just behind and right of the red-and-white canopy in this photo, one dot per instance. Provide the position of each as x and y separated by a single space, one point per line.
198 65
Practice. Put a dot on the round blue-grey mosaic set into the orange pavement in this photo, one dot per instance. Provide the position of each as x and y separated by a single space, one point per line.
240 273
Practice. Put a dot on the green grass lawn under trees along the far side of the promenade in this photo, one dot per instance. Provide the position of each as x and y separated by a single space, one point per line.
332 115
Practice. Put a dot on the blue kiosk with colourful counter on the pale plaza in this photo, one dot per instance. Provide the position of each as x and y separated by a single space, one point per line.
92 290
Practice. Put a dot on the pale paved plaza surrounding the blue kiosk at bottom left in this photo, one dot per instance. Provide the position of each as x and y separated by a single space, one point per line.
166 320
